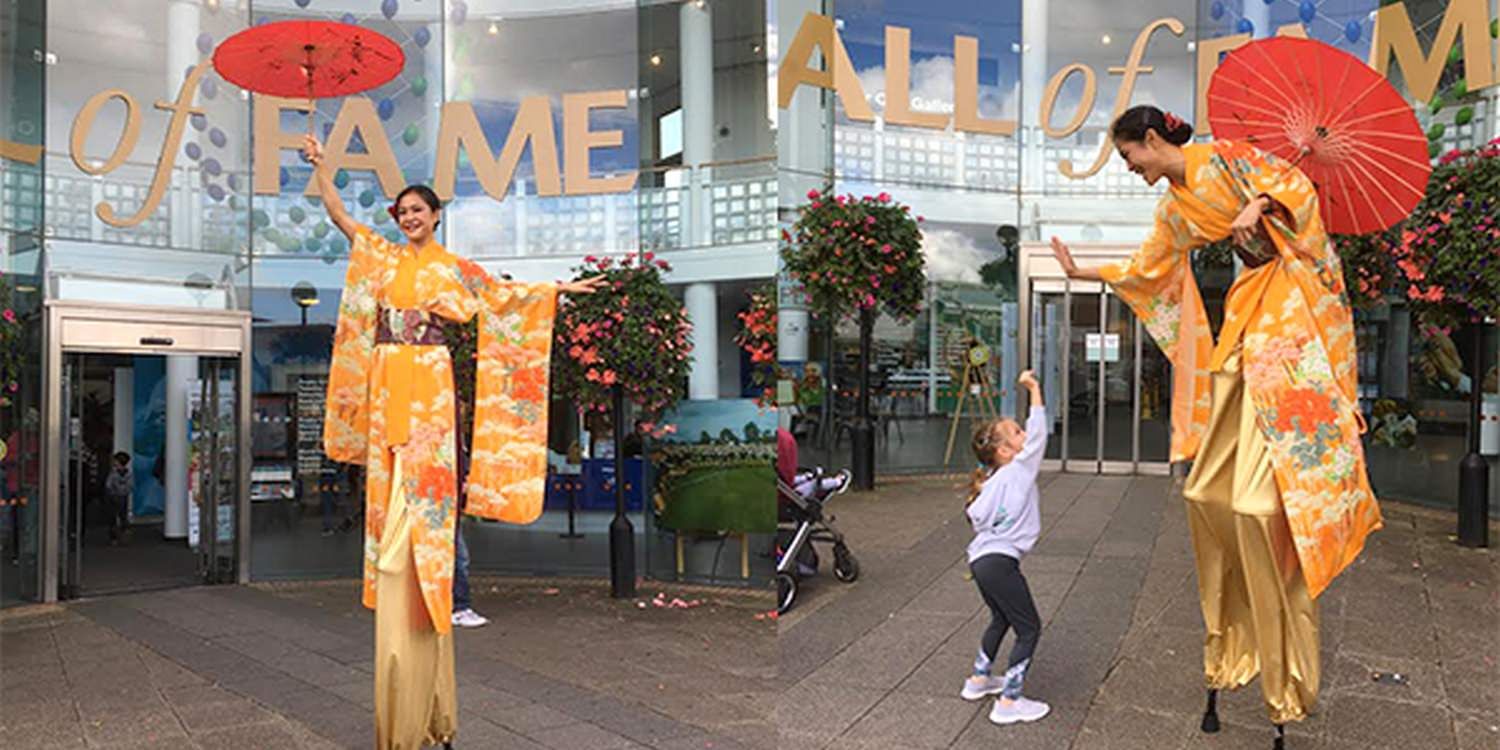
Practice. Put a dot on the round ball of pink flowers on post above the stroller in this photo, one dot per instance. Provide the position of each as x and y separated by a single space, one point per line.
857 254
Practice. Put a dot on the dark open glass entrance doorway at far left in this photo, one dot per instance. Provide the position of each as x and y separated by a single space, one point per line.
151 484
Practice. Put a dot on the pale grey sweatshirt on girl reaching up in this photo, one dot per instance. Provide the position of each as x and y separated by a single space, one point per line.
1004 517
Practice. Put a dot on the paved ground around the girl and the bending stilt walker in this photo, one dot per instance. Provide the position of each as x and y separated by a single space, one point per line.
878 664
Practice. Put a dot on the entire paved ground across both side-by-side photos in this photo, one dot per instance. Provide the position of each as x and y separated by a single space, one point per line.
868 665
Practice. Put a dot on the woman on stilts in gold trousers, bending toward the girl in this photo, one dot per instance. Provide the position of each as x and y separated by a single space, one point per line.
1279 499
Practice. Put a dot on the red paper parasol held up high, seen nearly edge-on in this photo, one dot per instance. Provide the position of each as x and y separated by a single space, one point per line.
308 59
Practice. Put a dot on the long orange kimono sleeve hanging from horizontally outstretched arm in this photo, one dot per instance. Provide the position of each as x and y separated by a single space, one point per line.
509 454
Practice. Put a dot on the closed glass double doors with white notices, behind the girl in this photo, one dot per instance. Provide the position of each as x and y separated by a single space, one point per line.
1106 385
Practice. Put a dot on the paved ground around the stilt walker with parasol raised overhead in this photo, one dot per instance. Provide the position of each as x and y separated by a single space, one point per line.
290 667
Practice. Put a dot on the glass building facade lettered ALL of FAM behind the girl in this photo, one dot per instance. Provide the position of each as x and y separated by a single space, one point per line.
1052 77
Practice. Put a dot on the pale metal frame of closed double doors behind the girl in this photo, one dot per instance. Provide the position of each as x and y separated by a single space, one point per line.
1042 275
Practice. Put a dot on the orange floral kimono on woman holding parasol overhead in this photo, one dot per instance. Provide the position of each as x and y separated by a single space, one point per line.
400 398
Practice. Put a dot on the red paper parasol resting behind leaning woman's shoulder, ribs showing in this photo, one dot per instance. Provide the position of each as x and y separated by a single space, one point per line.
1333 116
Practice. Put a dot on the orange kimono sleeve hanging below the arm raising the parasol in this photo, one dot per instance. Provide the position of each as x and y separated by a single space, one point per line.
346 425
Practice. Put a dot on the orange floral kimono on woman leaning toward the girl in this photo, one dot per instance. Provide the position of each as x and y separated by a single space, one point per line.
1292 320
